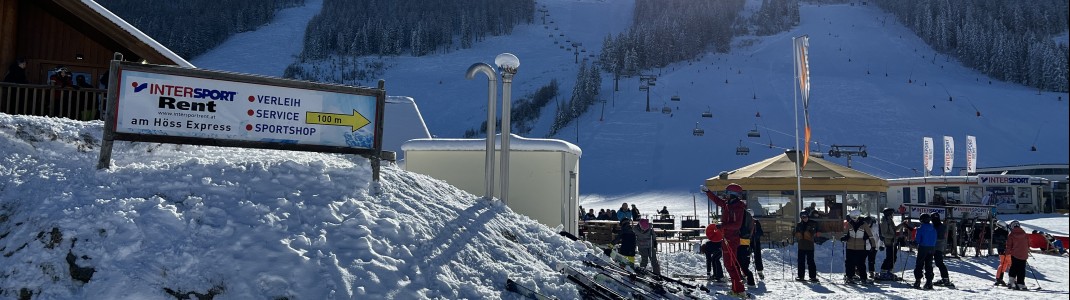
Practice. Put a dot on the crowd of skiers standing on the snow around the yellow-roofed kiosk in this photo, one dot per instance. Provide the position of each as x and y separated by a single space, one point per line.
736 243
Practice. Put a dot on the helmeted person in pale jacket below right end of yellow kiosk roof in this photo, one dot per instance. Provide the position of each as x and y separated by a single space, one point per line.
855 237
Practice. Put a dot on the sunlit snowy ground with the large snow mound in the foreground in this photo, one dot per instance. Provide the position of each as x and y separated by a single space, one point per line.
262 224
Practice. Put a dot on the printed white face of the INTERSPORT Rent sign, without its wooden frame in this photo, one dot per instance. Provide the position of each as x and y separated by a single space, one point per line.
172 106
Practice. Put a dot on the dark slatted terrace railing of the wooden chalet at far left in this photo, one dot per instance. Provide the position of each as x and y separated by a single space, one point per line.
35 100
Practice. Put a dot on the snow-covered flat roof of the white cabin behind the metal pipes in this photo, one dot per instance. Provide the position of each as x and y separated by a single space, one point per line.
516 144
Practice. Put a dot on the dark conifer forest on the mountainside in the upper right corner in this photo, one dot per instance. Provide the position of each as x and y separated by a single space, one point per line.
1011 41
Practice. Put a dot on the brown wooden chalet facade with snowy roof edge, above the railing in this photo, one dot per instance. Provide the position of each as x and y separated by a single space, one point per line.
49 34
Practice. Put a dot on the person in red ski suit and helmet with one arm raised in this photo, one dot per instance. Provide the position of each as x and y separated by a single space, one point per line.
731 221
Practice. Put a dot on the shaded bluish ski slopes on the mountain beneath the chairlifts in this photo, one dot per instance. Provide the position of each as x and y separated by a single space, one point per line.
874 84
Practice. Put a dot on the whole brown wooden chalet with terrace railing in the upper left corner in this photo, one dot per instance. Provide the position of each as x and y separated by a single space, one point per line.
80 35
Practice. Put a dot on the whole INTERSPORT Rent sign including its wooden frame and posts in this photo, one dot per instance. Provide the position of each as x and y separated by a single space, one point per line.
179 106
